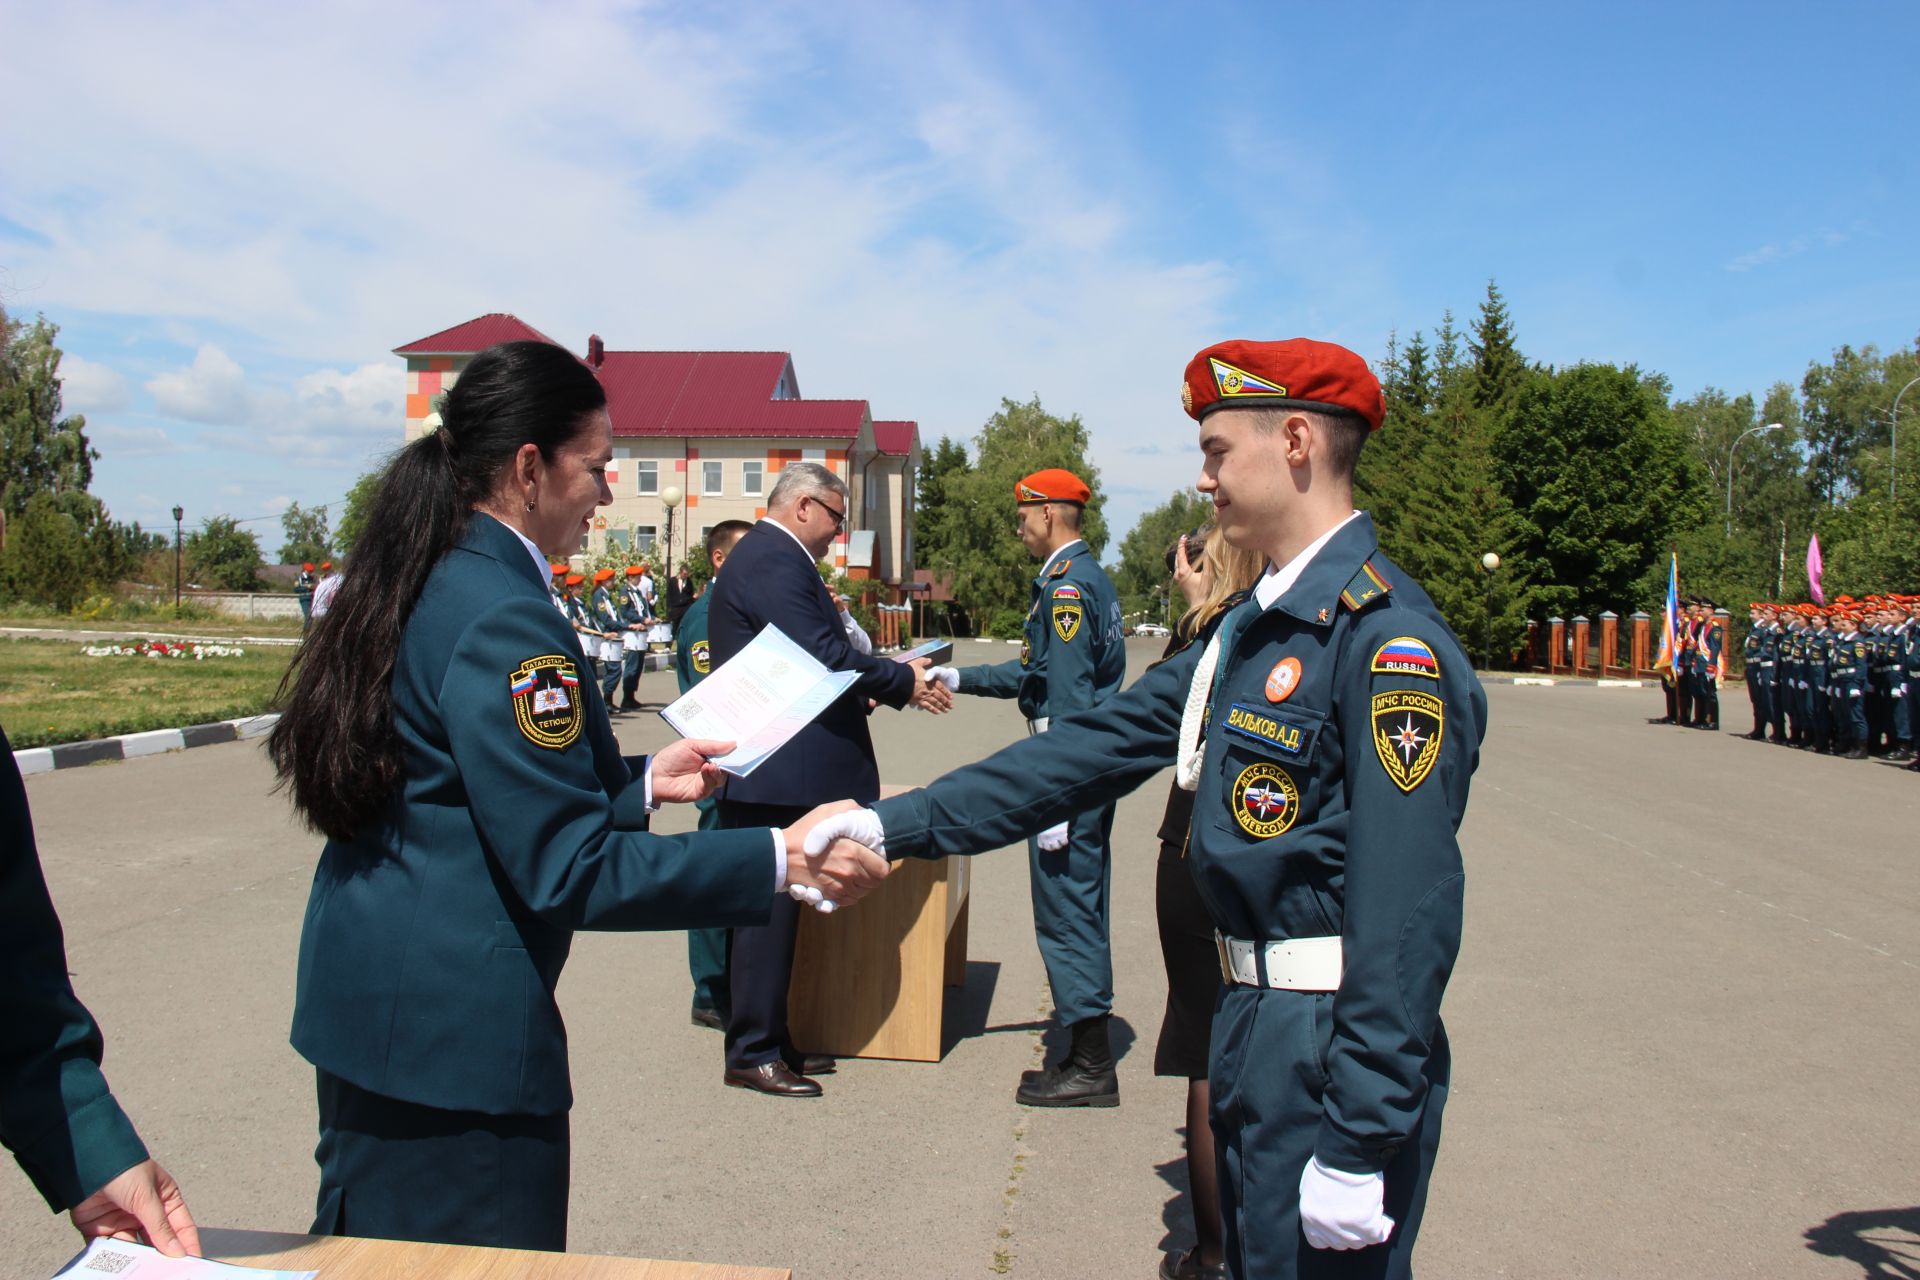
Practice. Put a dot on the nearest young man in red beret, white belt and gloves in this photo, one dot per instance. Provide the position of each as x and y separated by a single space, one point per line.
1330 732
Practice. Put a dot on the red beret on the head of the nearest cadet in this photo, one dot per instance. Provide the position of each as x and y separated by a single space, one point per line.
1287 375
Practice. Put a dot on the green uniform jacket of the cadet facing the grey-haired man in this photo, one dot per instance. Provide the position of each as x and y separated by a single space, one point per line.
1070 653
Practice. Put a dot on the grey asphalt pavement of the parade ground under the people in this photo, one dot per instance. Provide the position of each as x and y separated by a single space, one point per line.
1685 1028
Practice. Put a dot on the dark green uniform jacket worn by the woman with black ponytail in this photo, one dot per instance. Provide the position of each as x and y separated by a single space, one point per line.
435 939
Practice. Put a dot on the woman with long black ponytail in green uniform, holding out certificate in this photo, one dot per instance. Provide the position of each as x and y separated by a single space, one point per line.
479 813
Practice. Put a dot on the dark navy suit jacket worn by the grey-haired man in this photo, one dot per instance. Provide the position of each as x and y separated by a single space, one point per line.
771 579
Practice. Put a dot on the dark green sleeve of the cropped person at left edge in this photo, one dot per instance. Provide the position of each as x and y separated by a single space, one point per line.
57 1114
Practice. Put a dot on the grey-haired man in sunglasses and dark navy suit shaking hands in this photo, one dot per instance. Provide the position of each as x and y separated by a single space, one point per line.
773 577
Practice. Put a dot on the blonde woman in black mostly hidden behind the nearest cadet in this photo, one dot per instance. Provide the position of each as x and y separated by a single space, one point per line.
1212 584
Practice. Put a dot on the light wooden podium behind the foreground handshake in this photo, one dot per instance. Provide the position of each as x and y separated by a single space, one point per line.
873 982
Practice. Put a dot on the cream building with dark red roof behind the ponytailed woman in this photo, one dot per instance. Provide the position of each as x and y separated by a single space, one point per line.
700 439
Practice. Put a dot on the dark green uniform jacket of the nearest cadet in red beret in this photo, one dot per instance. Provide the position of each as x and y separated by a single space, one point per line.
1343 732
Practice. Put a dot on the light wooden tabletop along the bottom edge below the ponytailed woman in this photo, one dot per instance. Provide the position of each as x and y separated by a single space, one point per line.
347 1258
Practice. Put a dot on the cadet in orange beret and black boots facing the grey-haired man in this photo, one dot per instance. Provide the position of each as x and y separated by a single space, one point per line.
1070 659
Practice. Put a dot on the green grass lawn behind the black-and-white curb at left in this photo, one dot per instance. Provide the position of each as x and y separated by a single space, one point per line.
51 692
